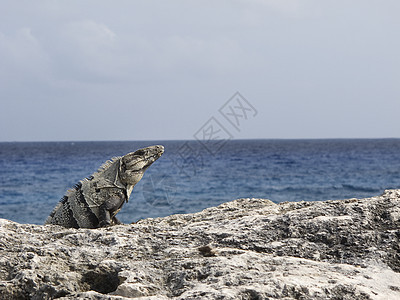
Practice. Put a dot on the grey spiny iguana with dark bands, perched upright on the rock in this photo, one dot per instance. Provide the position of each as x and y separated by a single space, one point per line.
95 200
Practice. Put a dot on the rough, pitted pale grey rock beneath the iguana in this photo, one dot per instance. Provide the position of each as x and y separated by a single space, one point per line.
244 249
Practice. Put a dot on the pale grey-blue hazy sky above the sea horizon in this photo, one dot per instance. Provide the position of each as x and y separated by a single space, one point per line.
160 70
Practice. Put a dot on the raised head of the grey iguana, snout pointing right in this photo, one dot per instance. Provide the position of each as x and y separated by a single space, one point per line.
133 165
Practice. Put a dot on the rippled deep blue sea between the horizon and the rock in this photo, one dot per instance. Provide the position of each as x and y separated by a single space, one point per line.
191 176
